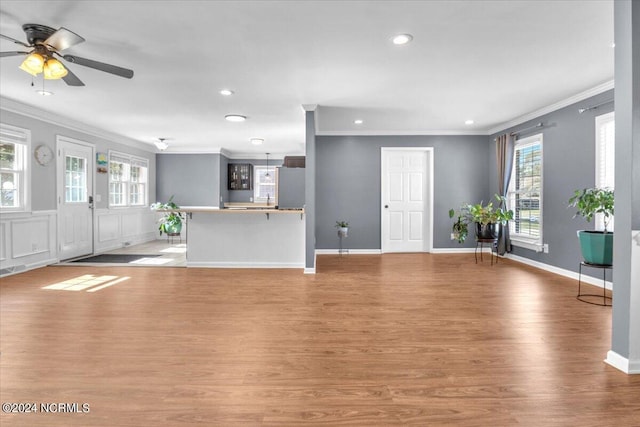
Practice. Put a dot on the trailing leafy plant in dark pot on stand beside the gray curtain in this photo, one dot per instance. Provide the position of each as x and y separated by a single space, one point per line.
485 216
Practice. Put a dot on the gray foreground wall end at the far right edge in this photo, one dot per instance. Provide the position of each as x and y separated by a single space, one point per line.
625 339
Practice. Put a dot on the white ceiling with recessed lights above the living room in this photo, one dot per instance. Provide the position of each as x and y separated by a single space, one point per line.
490 61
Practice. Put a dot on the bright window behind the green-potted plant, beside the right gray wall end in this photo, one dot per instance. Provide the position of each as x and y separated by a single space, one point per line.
605 159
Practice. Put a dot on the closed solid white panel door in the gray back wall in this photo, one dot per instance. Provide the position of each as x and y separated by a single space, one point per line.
407 199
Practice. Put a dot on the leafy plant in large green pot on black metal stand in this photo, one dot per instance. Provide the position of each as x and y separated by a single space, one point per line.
596 246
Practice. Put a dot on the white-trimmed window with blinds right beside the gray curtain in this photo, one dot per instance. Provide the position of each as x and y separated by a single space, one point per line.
525 193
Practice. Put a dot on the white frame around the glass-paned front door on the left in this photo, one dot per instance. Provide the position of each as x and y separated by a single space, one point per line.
60 168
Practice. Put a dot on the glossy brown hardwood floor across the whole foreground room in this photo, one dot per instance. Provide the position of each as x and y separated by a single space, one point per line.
411 339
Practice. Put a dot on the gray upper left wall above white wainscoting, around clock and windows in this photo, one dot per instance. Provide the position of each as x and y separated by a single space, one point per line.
43 178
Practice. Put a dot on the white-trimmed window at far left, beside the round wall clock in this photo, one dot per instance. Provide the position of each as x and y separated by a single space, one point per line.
15 146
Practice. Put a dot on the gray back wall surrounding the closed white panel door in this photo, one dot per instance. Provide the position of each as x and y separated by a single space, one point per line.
348 184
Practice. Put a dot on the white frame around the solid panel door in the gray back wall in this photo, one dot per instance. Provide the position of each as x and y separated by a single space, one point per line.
428 227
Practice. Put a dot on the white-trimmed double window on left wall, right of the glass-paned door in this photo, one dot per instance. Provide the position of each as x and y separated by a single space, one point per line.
128 180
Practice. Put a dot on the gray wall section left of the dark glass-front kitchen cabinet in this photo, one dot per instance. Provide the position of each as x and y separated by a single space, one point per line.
193 179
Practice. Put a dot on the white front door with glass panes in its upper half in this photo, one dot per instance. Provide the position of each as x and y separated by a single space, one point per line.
75 198
